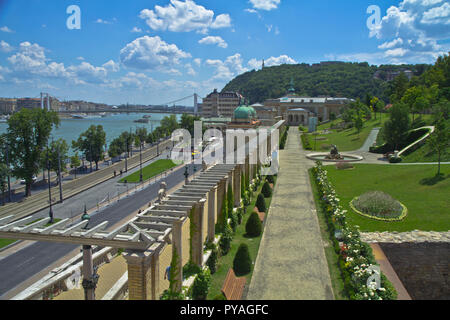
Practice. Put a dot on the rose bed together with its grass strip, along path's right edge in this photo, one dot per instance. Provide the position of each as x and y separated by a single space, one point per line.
351 262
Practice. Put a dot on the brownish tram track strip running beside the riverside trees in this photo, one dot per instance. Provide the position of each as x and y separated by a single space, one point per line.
39 201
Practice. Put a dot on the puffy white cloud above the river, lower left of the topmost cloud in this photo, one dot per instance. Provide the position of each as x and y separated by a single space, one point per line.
151 53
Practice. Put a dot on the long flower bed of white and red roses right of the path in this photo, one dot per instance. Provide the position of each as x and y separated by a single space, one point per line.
356 261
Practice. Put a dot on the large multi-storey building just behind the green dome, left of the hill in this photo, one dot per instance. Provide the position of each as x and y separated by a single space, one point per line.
220 104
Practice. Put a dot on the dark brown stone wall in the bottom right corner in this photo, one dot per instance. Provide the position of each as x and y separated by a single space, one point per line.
423 268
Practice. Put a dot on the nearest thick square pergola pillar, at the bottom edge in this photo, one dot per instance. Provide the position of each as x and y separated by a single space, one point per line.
139 270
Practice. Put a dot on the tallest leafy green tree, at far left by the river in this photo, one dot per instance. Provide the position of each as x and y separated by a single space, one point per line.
27 136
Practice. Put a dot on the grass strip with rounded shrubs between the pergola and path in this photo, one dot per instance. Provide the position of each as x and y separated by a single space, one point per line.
226 262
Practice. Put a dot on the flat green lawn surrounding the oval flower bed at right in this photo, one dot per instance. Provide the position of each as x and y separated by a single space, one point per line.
427 200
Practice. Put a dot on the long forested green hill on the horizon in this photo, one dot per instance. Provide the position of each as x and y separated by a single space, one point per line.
337 79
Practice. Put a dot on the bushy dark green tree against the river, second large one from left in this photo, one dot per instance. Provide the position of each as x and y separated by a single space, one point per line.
91 143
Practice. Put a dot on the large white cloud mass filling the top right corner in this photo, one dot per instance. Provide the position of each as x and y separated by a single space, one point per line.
412 30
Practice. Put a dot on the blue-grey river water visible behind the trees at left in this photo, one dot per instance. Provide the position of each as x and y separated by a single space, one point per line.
113 124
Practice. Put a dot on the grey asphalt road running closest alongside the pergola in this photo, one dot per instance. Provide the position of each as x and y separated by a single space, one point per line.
29 261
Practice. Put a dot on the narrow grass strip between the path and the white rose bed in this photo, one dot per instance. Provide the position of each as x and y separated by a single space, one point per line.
332 258
